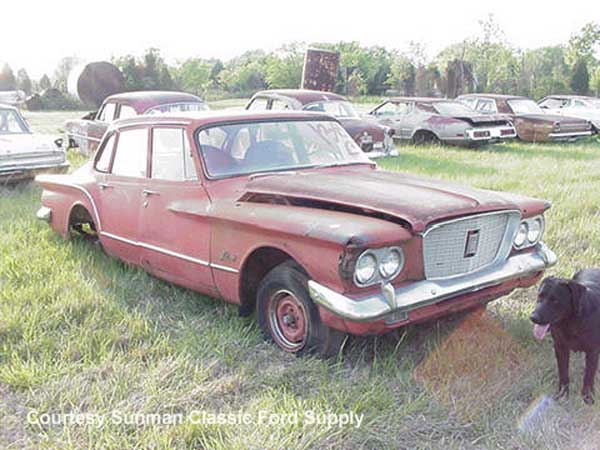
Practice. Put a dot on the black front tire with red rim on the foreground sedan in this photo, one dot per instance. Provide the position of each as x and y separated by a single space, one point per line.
286 286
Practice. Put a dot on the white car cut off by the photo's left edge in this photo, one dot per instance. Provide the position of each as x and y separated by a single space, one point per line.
23 154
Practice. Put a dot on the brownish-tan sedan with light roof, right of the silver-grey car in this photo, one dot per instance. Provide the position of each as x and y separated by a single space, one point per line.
531 122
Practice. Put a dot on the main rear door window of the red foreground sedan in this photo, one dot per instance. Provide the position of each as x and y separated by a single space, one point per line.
131 153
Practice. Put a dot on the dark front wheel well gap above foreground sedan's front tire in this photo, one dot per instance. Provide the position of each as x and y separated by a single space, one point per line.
260 262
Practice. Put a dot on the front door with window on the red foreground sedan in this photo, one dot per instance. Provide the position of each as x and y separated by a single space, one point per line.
174 223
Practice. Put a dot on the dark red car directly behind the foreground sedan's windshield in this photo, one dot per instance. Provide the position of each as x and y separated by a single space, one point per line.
374 139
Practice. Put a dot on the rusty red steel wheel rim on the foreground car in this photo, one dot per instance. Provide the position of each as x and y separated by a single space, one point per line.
287 320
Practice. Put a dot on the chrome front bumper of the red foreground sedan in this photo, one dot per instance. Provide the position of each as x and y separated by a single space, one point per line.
426 292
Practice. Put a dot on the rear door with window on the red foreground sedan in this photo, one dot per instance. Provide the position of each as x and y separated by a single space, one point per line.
119 191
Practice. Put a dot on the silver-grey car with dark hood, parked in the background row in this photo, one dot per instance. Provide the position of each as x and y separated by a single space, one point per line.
431 120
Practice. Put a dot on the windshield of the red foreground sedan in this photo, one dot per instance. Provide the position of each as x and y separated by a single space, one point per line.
281 145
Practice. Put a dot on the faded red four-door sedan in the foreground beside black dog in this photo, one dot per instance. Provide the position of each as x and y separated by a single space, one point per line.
282 213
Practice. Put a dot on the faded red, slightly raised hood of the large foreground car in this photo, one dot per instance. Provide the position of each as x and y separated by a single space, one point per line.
415 201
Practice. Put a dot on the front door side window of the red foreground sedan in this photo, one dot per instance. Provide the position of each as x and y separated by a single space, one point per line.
171 155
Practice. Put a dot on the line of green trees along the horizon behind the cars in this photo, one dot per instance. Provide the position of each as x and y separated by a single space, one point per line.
483 63
